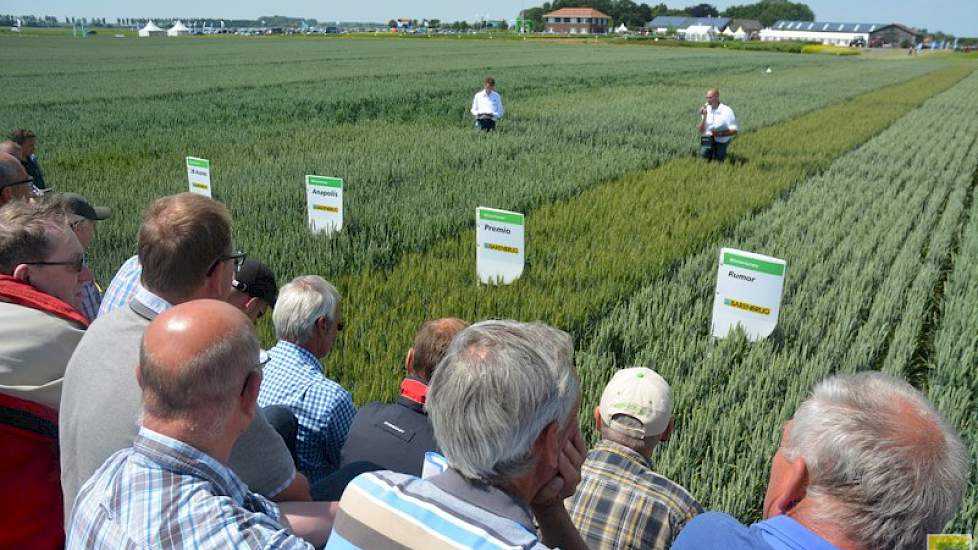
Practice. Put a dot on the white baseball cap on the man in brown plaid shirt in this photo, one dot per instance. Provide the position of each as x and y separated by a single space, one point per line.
641 393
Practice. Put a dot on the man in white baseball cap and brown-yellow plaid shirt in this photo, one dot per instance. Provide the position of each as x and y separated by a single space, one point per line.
621 502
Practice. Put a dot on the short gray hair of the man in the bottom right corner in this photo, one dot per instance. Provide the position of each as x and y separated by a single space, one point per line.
884 466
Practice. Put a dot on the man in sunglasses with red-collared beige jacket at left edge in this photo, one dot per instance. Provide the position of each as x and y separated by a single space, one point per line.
40 289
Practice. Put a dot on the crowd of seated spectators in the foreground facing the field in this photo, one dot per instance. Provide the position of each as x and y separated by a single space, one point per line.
149 416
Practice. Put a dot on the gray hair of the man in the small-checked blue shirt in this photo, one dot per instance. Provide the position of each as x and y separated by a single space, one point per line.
300 303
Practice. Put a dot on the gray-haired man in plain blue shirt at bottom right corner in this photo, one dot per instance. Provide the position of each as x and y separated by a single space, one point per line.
866 463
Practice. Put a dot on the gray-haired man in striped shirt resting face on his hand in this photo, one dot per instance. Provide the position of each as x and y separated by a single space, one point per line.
503 404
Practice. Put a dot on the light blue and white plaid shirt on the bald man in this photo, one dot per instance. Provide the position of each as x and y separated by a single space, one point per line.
162 493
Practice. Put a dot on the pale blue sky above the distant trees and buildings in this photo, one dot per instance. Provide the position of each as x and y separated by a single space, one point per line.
958 17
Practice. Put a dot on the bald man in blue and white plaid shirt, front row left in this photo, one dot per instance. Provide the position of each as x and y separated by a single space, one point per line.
200 368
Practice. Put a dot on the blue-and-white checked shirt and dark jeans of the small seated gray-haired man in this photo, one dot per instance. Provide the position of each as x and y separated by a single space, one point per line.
295 380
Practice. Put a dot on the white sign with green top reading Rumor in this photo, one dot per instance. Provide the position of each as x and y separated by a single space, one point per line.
748 293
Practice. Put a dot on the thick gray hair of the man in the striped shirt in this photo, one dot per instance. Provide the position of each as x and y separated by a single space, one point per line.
499 386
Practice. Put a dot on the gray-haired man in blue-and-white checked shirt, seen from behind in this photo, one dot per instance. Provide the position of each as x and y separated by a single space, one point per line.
307 321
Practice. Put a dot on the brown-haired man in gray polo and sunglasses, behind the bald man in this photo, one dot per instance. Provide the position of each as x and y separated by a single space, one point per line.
186 253
